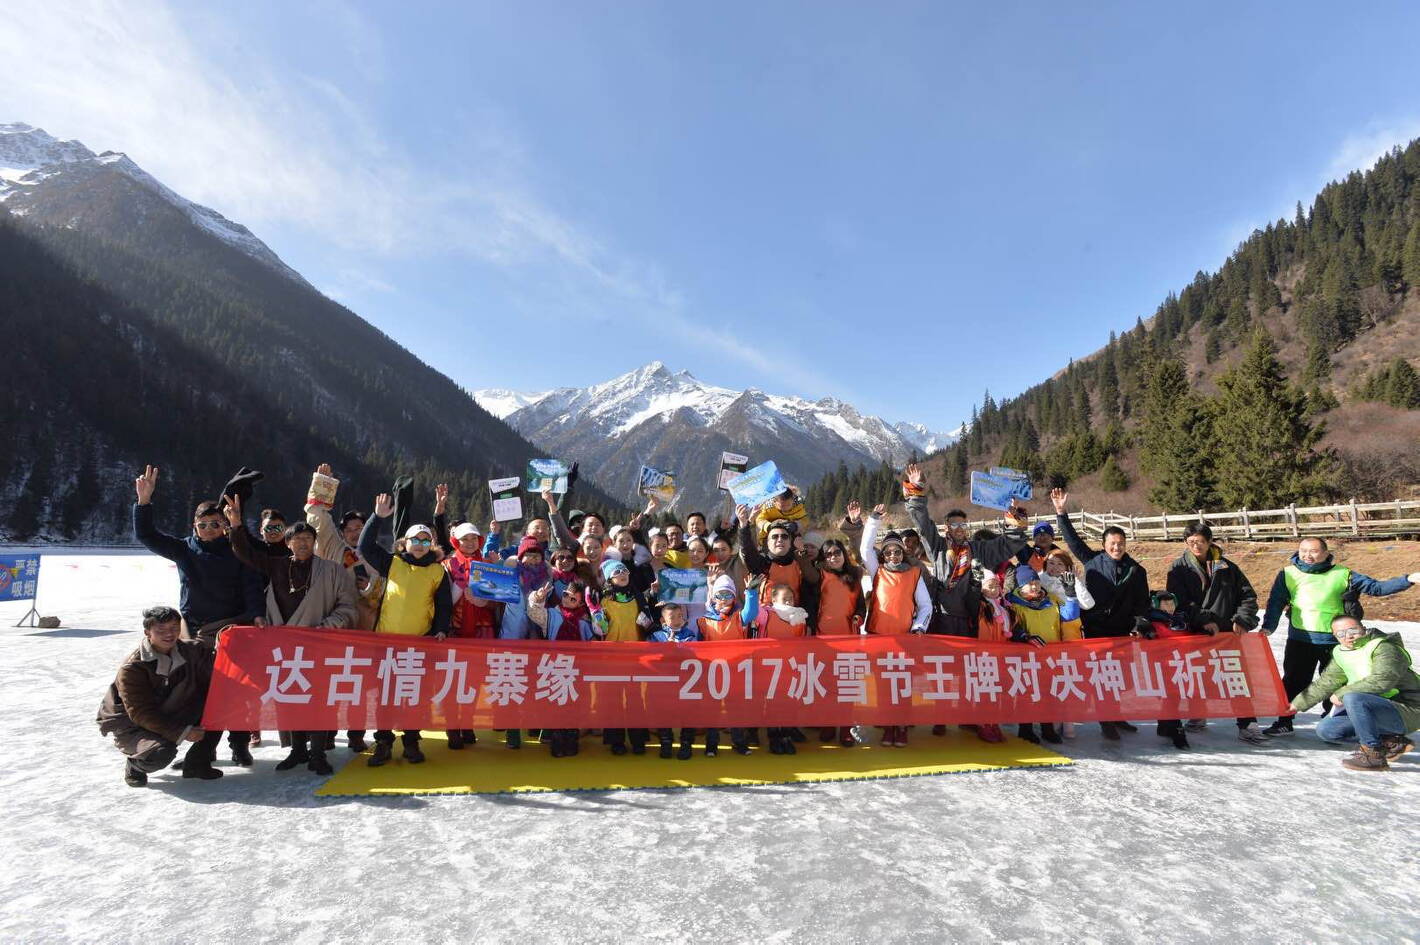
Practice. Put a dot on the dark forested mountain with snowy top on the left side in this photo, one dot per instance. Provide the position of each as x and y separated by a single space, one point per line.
147 329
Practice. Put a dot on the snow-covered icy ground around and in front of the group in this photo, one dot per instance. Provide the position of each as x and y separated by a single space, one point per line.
1135 843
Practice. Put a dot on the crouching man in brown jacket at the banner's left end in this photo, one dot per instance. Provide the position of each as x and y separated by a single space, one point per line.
155 703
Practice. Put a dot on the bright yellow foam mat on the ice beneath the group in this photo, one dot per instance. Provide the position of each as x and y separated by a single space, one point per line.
491 768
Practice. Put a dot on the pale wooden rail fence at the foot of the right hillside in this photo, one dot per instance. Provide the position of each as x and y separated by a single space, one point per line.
1353 519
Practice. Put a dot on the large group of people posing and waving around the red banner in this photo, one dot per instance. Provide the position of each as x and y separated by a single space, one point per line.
768 576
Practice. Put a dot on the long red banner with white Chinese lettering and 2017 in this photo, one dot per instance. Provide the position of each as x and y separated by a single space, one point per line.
313 680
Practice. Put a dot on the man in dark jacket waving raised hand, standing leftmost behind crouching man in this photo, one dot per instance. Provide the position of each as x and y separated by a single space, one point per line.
215 590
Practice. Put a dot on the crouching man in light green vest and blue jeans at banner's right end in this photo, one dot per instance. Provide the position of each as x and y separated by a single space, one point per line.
1377 693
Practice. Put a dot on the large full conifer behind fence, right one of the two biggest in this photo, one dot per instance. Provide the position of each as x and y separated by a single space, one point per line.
1266 447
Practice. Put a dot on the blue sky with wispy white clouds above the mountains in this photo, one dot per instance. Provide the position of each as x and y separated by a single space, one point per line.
897 204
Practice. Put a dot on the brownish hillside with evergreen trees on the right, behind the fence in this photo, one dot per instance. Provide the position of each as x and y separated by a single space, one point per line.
1336 291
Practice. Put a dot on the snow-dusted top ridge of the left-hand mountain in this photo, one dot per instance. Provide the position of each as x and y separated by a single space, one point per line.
35 166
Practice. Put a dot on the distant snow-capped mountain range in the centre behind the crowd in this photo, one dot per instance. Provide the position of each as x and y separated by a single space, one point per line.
678 423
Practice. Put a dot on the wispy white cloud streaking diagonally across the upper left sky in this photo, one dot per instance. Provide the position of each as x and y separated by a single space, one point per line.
269 147
